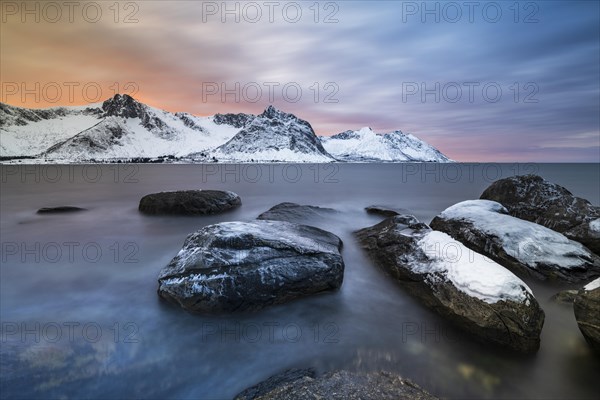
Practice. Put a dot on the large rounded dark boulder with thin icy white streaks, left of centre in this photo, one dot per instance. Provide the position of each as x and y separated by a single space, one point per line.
239 266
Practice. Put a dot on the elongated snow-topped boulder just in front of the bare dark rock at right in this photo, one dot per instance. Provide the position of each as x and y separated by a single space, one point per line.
522 246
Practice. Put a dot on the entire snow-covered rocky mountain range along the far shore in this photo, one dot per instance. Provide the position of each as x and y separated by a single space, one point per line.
123 128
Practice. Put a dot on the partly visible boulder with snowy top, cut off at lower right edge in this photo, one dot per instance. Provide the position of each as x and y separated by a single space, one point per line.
587 313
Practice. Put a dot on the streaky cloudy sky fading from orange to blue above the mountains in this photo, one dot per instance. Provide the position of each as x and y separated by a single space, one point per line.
482 81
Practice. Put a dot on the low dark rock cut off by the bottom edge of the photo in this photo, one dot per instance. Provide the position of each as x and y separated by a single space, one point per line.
339 385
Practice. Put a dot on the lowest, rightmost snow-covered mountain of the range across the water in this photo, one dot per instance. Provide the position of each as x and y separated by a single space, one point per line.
366 145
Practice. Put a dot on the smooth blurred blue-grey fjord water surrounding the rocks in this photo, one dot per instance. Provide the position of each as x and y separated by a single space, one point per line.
81 317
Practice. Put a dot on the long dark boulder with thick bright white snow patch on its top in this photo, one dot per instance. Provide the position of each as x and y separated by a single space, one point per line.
475 293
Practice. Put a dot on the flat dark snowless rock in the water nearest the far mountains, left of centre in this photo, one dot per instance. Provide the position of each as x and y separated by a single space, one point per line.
189 202
